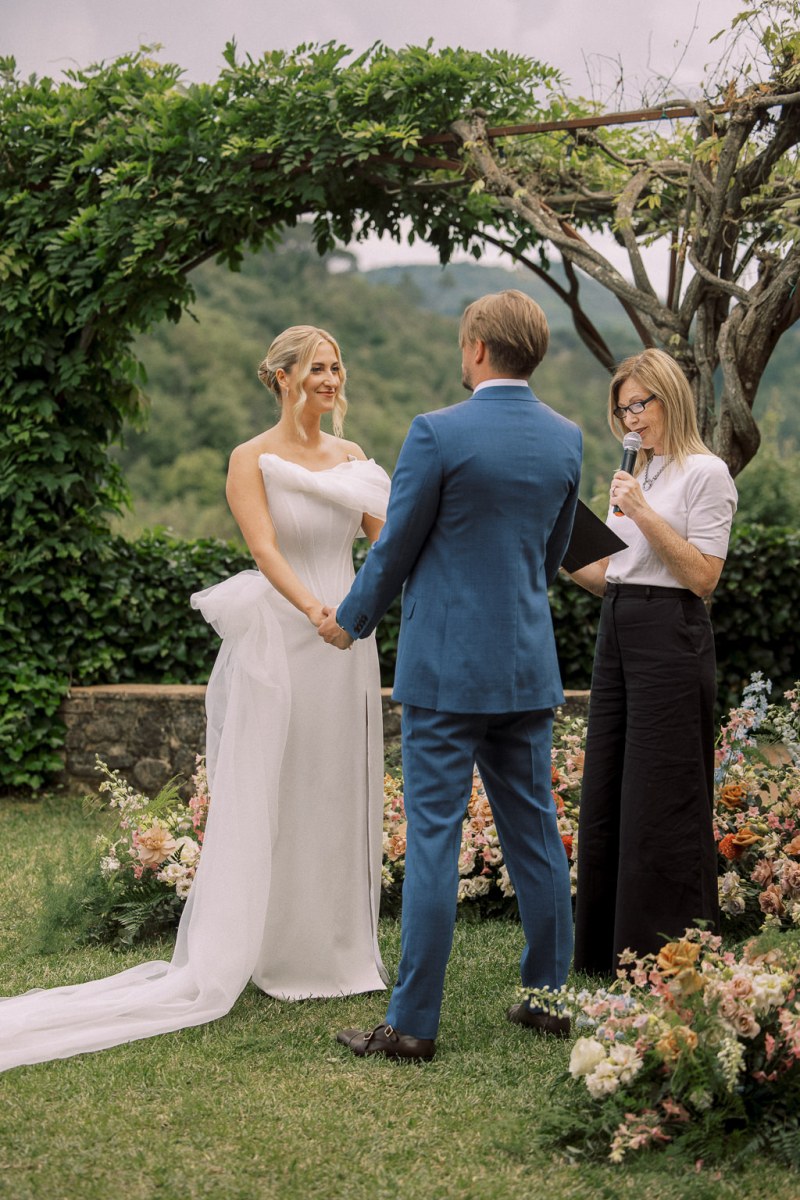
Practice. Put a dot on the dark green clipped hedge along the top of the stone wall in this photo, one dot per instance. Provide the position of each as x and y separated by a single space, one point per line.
137 625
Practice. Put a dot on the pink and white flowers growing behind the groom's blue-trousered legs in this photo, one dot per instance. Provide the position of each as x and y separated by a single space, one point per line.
484 885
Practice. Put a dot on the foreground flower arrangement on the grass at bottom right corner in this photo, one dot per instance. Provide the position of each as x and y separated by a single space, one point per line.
695 1048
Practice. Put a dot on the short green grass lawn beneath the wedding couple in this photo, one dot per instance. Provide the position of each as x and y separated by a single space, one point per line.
266 1105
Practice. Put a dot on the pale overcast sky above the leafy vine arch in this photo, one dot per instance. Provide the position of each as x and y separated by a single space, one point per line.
587 40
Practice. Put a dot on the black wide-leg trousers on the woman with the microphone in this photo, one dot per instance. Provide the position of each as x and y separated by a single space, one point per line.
647 857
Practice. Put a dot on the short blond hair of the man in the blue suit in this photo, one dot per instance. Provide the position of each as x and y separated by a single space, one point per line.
514 329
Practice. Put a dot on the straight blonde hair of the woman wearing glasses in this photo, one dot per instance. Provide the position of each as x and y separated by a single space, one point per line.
659 375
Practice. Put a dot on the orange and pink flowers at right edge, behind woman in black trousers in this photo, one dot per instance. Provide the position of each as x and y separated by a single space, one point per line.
757 812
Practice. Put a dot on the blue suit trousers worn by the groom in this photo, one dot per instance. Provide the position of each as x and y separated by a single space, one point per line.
513 752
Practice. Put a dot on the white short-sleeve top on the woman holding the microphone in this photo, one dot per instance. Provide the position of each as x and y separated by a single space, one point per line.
697 499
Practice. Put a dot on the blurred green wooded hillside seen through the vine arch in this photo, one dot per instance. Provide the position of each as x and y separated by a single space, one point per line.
399 331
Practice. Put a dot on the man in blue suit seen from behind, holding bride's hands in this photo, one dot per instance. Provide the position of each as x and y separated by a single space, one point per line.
480 514
